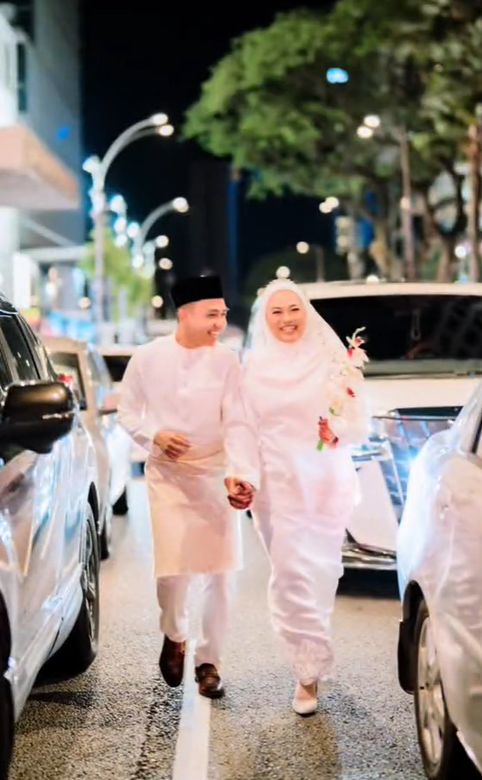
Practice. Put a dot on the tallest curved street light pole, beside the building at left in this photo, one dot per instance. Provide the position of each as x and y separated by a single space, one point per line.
98 169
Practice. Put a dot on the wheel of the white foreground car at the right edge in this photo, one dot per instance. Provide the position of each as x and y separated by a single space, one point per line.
447 760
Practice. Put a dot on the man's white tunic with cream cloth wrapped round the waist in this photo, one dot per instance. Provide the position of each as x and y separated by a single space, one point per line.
195 393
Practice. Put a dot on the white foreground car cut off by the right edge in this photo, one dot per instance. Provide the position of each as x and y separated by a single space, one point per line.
440 577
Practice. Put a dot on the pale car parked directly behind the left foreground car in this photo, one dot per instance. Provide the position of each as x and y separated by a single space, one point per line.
82 365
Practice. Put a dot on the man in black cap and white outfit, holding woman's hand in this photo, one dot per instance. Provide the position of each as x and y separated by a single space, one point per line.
181 400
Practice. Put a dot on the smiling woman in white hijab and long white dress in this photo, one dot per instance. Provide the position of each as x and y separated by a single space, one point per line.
306 496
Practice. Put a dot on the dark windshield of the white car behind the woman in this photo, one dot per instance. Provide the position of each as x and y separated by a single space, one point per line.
412 334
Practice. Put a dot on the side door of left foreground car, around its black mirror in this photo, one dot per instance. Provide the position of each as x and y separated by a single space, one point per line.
29 498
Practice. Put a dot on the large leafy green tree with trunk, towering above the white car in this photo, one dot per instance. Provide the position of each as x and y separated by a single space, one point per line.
269 107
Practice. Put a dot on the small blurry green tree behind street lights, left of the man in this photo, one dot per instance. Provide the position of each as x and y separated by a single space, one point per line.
120 275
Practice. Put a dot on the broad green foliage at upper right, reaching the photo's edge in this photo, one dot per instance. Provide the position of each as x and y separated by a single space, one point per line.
269 107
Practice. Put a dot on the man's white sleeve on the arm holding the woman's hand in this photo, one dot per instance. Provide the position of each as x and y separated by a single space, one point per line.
240 435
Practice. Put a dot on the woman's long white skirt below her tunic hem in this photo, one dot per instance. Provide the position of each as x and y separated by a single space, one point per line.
306 564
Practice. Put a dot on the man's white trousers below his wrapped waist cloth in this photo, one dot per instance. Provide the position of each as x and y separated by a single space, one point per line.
173 595
